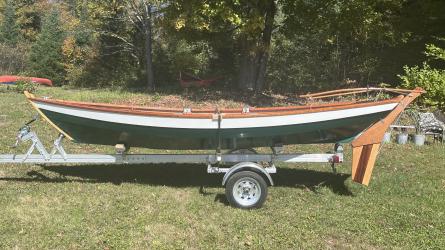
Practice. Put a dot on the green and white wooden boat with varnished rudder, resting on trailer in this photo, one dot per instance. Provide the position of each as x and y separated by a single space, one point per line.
363 123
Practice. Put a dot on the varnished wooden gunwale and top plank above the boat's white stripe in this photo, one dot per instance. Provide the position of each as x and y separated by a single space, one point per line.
209 113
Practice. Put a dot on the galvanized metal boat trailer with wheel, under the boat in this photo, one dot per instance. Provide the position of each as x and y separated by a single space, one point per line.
245 182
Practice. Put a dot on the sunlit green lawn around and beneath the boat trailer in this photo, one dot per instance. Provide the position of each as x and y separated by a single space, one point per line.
180 206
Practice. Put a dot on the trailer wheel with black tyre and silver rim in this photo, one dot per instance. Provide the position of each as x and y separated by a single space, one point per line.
246 189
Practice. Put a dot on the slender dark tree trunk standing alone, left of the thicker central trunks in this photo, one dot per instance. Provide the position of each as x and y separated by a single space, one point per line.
148 50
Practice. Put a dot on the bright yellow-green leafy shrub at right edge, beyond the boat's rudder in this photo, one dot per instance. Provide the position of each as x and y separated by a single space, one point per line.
432 80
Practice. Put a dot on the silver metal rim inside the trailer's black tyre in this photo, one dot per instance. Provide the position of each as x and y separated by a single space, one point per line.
246 191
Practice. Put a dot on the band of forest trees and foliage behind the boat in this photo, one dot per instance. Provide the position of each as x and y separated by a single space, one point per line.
281 46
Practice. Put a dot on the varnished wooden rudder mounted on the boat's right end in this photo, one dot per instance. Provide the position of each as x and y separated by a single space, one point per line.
365 147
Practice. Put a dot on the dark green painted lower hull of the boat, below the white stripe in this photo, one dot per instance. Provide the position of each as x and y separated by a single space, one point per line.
107 133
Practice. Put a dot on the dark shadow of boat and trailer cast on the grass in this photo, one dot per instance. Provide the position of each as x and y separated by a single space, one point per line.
180 175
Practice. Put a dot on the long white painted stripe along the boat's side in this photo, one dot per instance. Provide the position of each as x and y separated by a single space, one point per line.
229 123
